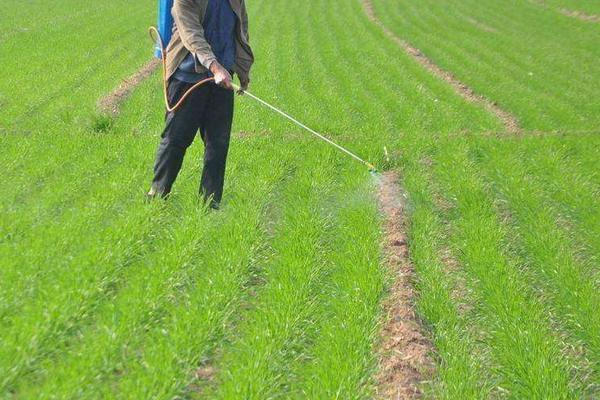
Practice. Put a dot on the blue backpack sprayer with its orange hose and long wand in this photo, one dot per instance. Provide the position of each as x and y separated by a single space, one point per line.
162 36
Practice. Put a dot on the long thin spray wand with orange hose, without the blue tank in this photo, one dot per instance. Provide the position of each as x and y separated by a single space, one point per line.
155 35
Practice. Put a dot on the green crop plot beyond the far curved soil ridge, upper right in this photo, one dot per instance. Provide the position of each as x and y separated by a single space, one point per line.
483 45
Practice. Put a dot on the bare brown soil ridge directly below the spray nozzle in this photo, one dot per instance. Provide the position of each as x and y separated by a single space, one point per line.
405 355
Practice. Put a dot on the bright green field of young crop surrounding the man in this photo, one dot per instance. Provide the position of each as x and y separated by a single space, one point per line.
279 294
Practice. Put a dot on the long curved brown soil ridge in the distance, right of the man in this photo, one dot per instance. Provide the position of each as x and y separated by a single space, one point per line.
511 124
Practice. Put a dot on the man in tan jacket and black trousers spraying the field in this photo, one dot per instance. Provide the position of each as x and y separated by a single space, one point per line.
210 38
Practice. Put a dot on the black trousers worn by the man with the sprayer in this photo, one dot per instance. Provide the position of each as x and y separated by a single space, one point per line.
208 109
